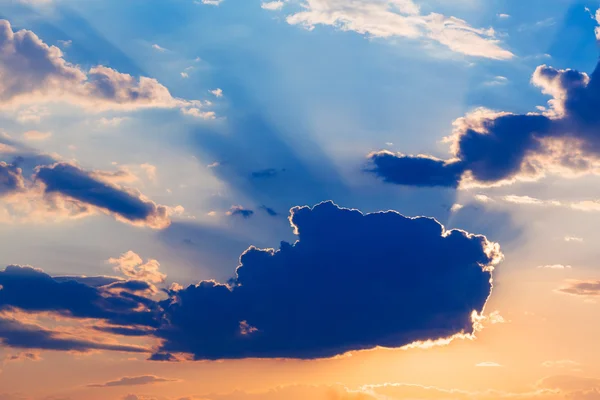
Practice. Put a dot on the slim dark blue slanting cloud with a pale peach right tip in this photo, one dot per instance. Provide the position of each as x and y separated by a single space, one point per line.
70 180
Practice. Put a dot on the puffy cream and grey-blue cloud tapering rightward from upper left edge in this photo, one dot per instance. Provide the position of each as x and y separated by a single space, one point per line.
34 73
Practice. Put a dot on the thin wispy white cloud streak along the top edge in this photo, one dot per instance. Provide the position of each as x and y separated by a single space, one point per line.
400 18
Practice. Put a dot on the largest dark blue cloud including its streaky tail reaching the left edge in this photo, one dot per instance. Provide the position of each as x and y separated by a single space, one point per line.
352 281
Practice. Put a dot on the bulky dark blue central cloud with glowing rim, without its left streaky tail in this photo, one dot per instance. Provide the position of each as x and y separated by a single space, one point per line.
353 281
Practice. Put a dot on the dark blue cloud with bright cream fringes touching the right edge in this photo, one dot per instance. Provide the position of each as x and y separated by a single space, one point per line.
491 148
